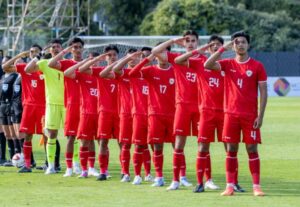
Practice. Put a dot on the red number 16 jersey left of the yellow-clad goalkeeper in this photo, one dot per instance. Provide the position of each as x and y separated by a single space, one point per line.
33 87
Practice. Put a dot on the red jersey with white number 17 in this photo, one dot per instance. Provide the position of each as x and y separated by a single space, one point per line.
161 83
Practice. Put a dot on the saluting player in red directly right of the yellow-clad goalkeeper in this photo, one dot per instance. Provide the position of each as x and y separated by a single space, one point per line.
72 101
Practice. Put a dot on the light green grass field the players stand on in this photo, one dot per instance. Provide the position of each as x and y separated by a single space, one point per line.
280 174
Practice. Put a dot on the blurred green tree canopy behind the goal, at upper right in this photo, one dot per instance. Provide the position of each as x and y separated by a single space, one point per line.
274 25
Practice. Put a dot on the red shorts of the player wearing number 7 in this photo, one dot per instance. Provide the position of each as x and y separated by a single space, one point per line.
108 125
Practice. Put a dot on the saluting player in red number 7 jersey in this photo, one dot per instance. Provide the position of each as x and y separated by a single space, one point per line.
108 121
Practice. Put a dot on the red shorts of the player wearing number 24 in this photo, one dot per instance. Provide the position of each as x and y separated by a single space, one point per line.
210 121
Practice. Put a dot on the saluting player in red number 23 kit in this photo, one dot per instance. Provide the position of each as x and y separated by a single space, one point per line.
187 113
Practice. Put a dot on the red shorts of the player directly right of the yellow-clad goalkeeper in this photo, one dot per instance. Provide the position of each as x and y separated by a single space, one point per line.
72 119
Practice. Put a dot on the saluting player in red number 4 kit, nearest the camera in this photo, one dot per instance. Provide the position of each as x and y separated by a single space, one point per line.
244 76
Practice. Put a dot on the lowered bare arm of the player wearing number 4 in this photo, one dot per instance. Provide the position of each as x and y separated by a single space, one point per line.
262 86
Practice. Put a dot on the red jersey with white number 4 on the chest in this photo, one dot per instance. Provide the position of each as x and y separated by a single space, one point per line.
241 85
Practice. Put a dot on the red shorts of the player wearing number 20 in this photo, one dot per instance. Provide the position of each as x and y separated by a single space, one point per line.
87 128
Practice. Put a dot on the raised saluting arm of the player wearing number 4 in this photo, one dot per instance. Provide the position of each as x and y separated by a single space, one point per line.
211 62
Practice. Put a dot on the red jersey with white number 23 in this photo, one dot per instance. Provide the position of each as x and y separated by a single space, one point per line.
186 81
